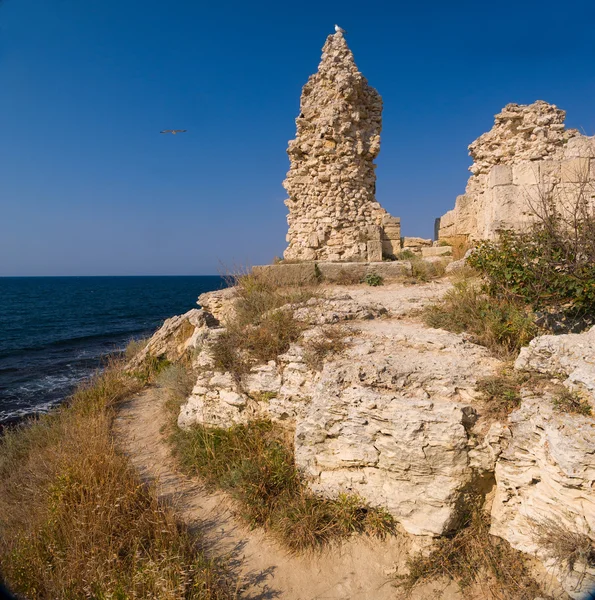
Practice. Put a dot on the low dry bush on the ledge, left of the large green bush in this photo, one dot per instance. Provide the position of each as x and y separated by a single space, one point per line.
502 325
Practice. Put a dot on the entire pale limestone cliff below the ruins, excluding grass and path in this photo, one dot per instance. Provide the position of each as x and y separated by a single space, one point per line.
396 418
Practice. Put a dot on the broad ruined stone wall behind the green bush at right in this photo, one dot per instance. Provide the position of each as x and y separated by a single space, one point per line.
528 156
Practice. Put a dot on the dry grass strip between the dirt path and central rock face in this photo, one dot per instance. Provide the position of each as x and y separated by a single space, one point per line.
254 463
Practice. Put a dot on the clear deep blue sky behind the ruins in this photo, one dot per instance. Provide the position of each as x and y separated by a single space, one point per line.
88 186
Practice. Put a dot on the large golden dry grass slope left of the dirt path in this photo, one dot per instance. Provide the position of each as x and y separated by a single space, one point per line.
75 520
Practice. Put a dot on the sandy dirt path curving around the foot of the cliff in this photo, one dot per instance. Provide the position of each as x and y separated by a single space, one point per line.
356 570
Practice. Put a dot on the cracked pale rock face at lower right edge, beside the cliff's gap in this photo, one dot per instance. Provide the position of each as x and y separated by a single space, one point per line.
546 473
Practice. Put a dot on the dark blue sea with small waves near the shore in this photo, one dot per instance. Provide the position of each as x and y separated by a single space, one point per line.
55 331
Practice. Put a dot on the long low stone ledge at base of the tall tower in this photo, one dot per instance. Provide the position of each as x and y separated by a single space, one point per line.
312 272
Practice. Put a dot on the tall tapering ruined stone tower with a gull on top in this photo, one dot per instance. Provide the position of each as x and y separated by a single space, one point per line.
333 213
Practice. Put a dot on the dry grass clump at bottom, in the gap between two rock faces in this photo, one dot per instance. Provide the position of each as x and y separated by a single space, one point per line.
471 556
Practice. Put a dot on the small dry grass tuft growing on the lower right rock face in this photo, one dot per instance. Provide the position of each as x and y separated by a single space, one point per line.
569 548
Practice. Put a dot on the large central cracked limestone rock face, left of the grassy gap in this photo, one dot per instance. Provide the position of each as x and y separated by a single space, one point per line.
391 422
